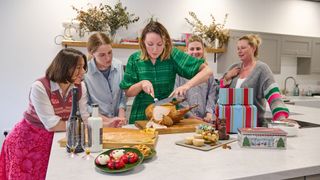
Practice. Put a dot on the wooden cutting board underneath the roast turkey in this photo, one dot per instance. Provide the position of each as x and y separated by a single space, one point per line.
185 126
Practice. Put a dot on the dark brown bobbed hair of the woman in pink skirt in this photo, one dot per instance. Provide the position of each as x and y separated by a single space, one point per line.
64 64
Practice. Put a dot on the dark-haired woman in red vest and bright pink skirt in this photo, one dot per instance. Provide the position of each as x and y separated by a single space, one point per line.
26 150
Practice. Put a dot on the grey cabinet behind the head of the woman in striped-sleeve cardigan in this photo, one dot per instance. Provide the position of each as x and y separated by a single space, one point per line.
269 51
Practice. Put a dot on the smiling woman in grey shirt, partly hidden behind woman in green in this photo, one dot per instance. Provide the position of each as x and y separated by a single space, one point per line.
204 94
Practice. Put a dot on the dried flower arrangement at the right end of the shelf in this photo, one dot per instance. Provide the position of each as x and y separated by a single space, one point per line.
210 33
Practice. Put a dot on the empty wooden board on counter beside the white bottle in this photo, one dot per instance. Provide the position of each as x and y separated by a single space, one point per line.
119 137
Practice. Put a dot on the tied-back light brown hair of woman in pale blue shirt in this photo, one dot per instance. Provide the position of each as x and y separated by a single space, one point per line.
96 40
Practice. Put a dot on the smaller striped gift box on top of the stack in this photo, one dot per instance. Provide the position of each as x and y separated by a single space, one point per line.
232 96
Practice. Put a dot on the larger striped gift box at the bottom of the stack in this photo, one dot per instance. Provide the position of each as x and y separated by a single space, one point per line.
238 116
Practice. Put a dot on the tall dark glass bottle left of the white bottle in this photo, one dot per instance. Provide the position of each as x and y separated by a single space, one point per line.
75 125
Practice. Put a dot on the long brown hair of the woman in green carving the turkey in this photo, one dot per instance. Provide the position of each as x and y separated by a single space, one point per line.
158 28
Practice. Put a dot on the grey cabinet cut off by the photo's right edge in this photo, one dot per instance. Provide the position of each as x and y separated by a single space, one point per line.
315 58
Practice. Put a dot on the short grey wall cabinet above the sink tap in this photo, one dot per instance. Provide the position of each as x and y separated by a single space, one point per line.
296 46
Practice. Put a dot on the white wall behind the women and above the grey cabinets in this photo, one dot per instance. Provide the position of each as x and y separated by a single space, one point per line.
28 29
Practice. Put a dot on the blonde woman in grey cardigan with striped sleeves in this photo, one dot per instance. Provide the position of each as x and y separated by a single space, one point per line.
255 74
